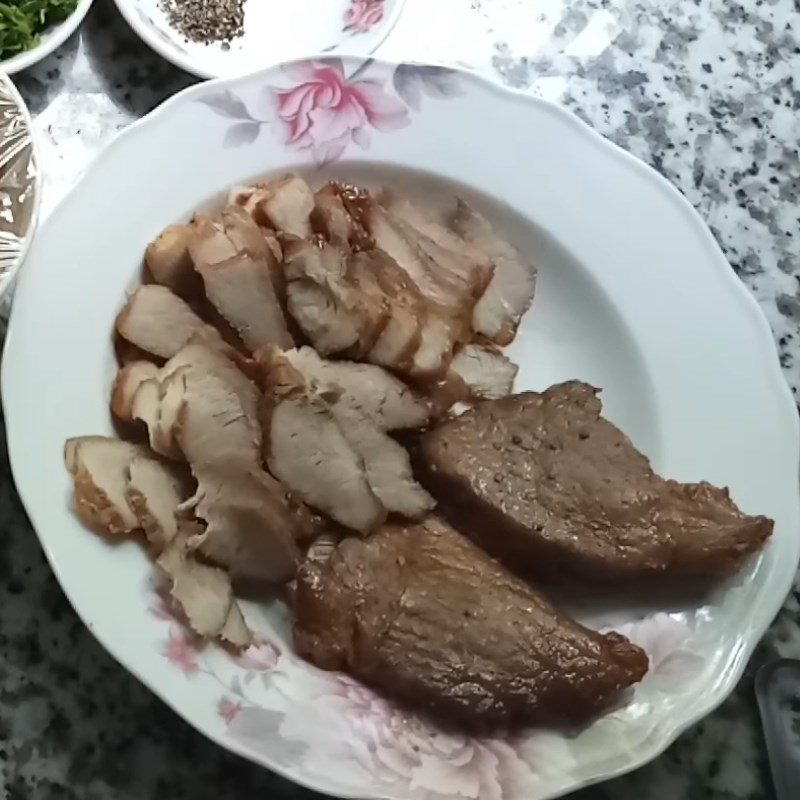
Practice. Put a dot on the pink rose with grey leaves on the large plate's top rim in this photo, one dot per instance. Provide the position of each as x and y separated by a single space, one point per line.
322 110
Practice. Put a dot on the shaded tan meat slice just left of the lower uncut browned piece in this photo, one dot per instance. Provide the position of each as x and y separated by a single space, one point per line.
253 525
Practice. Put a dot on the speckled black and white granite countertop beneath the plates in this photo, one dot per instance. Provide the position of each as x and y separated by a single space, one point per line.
703 91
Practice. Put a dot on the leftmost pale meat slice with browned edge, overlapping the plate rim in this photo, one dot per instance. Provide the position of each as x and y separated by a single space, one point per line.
99 469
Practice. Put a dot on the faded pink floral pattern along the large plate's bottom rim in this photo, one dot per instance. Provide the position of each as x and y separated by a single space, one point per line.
329 725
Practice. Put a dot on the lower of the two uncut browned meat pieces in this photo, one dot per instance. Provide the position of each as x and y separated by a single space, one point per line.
420 613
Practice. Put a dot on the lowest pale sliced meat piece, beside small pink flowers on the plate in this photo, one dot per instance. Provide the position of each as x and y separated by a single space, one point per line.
205 596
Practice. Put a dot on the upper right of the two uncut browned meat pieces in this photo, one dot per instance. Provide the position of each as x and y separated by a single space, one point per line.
545 483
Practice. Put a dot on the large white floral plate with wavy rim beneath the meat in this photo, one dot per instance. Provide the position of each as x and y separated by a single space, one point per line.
634 296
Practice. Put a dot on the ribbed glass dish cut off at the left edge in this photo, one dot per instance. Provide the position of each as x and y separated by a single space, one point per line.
20 189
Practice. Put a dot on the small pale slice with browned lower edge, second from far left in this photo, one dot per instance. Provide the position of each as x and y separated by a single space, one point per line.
154 493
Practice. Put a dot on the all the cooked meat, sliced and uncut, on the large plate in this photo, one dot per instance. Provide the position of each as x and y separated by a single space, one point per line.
284 365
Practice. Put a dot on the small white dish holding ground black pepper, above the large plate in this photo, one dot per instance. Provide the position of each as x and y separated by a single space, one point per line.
275 31
